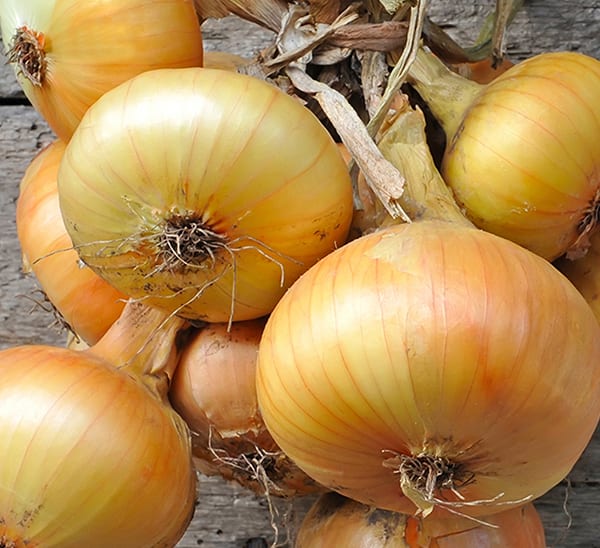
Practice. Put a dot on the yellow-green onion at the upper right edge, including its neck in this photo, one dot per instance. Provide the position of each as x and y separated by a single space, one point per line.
522 155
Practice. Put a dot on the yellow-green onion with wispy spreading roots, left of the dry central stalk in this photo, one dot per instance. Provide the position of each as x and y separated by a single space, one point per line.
203 192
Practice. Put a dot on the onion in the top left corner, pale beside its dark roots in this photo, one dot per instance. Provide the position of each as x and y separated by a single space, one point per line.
67 53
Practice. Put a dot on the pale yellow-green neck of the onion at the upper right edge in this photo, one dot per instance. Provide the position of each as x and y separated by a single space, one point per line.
446 93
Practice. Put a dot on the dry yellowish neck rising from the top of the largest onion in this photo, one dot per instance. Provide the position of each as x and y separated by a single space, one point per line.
426 196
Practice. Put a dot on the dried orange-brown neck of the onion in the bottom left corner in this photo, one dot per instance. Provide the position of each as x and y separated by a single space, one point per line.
146 343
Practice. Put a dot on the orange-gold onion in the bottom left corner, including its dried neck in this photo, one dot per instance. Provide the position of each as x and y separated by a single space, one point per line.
92 454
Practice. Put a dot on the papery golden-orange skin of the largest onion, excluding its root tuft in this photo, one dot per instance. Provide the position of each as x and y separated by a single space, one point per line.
438 340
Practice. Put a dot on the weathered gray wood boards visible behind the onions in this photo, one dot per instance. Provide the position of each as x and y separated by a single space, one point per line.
227 515
